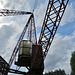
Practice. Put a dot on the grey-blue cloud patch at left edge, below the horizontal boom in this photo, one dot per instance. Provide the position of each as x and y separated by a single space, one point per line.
6 32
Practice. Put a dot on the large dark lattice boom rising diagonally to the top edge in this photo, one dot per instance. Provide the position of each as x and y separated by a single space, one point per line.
54 13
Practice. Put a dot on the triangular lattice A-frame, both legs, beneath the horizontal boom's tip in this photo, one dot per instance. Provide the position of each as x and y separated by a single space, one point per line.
30 24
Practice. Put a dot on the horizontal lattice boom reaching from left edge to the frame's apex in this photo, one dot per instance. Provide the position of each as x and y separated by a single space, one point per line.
6 12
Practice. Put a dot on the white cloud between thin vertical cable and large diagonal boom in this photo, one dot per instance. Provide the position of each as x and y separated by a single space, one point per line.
40 13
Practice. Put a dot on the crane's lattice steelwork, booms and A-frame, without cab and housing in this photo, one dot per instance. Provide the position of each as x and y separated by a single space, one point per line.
53 16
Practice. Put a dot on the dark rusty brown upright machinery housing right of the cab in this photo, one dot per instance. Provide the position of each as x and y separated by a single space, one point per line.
37 63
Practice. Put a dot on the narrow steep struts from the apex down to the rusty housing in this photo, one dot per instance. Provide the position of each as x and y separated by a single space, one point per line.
32 31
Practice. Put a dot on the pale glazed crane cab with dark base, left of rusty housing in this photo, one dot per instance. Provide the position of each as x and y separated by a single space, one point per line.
25 53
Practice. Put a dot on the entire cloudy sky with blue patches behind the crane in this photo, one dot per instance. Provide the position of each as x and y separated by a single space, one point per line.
63 44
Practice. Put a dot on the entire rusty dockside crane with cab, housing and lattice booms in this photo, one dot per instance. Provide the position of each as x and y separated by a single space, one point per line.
30 53
